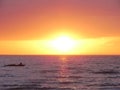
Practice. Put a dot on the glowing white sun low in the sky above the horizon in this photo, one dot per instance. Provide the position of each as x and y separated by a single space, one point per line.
63 43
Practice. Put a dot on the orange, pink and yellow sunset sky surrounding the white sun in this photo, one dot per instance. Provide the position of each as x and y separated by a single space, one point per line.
28 26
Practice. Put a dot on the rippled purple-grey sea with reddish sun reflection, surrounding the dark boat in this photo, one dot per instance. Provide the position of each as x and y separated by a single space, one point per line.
60 73
